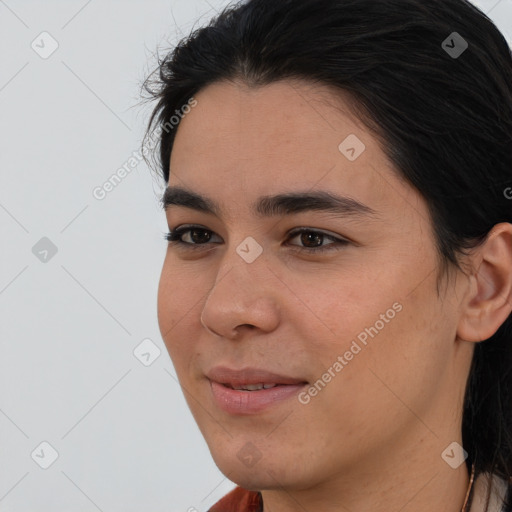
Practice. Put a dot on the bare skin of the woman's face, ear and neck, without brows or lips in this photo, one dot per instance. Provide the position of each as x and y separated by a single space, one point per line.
372 438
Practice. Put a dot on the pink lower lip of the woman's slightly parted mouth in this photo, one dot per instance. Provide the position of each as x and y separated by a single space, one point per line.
235 401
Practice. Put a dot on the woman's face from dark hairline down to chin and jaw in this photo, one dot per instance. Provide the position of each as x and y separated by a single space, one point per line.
369 348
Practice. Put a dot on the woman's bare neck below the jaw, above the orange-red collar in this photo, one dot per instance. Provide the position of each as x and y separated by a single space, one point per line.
410 479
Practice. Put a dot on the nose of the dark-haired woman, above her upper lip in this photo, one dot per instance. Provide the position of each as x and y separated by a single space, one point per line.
243 298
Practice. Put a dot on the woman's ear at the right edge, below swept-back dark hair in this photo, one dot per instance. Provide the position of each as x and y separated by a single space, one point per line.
488 302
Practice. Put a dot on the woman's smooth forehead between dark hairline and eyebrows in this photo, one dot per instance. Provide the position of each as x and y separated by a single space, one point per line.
239 143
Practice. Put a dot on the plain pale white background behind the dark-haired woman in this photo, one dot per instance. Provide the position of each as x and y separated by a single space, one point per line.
124 435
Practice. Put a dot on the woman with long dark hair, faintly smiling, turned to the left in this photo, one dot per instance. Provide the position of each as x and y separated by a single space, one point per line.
336 295
